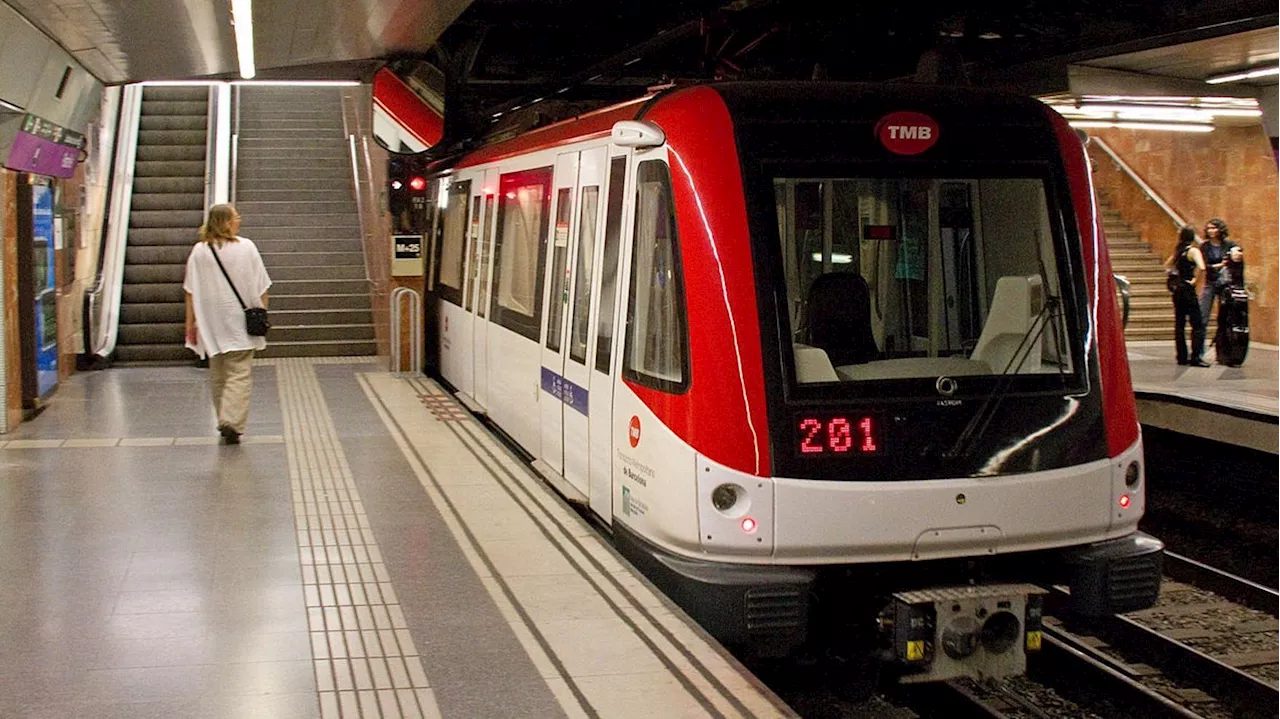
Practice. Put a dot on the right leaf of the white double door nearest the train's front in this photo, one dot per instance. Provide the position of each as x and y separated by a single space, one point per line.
578 402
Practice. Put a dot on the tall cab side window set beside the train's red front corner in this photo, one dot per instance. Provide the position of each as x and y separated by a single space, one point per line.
656 349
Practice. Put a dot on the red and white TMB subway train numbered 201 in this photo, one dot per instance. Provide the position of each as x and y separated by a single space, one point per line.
836 363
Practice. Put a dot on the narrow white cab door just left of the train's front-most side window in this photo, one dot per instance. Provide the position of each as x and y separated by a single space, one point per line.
601 361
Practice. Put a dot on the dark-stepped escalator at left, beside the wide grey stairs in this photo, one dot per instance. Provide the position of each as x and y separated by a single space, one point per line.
167 209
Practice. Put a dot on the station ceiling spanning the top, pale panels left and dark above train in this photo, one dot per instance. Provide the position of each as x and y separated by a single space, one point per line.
506 52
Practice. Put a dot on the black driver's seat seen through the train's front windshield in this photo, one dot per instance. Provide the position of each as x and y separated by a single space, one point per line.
840 319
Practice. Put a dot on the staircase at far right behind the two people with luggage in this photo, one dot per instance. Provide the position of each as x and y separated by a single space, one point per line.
1151 308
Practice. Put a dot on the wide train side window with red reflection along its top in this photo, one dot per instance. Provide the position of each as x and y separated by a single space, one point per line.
524 208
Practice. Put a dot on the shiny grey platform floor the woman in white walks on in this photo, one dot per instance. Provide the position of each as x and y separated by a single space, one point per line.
368 551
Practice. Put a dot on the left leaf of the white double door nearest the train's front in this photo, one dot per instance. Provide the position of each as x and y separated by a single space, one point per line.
555 391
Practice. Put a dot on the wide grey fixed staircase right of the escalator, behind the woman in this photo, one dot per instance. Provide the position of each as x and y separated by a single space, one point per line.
295 195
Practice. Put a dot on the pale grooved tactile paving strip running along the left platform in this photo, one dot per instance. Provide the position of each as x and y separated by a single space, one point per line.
365 661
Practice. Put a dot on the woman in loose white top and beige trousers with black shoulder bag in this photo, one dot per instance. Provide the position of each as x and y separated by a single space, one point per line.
216 320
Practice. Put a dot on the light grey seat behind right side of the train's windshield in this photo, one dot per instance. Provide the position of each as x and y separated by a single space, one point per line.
1017 304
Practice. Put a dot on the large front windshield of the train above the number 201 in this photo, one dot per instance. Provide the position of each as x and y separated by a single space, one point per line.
897 281
